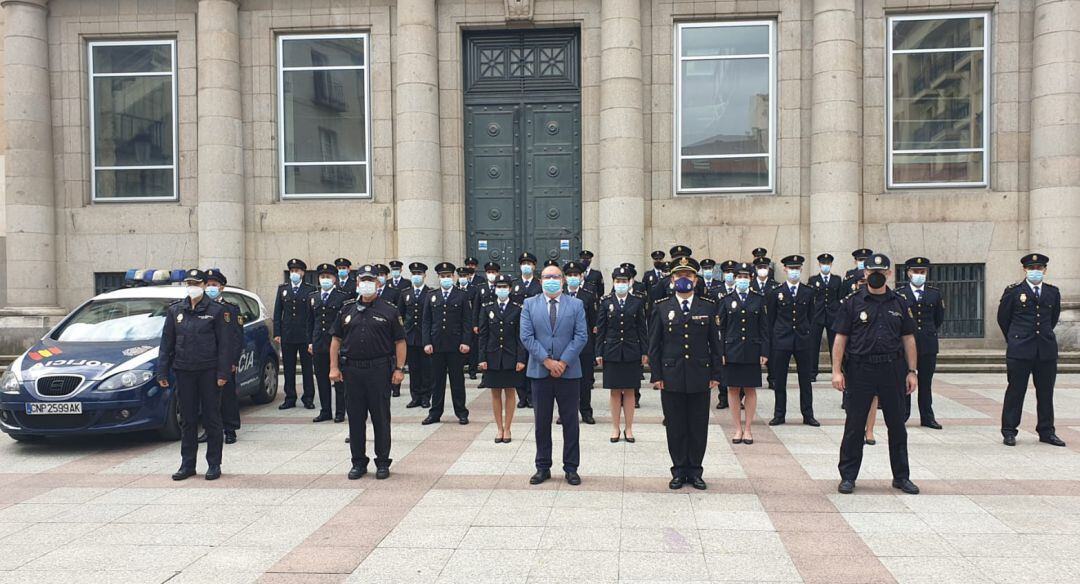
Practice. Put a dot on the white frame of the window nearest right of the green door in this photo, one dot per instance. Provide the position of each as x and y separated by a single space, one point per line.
678 132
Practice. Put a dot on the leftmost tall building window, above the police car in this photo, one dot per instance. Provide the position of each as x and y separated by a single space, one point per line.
133 120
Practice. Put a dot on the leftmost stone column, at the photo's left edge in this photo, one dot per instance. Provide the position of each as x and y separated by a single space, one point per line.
31 200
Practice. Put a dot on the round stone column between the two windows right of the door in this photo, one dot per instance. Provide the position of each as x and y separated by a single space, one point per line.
835 151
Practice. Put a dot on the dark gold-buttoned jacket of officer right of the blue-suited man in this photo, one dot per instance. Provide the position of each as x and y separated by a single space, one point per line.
685 351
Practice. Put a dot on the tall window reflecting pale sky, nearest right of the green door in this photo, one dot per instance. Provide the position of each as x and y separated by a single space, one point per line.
725 115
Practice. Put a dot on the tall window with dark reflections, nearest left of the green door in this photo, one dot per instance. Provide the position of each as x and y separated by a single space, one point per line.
323 116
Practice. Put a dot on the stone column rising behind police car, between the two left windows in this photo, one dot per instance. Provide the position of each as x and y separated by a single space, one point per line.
221 140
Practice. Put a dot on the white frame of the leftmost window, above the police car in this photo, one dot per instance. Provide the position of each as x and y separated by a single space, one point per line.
93 126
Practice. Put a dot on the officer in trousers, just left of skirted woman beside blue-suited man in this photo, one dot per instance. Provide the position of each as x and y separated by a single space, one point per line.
448 334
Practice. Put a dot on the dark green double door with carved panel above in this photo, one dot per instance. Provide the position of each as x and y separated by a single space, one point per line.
523 146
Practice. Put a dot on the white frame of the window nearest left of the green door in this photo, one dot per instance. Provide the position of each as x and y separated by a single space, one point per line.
282 166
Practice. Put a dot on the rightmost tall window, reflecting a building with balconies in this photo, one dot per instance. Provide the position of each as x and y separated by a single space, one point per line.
938 83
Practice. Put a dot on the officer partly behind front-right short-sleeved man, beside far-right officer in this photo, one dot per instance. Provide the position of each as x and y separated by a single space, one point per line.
928 309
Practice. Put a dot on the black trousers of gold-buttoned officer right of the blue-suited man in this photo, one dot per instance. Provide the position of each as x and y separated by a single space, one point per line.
686 417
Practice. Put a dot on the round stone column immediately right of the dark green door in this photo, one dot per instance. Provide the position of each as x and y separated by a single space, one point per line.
622 198
